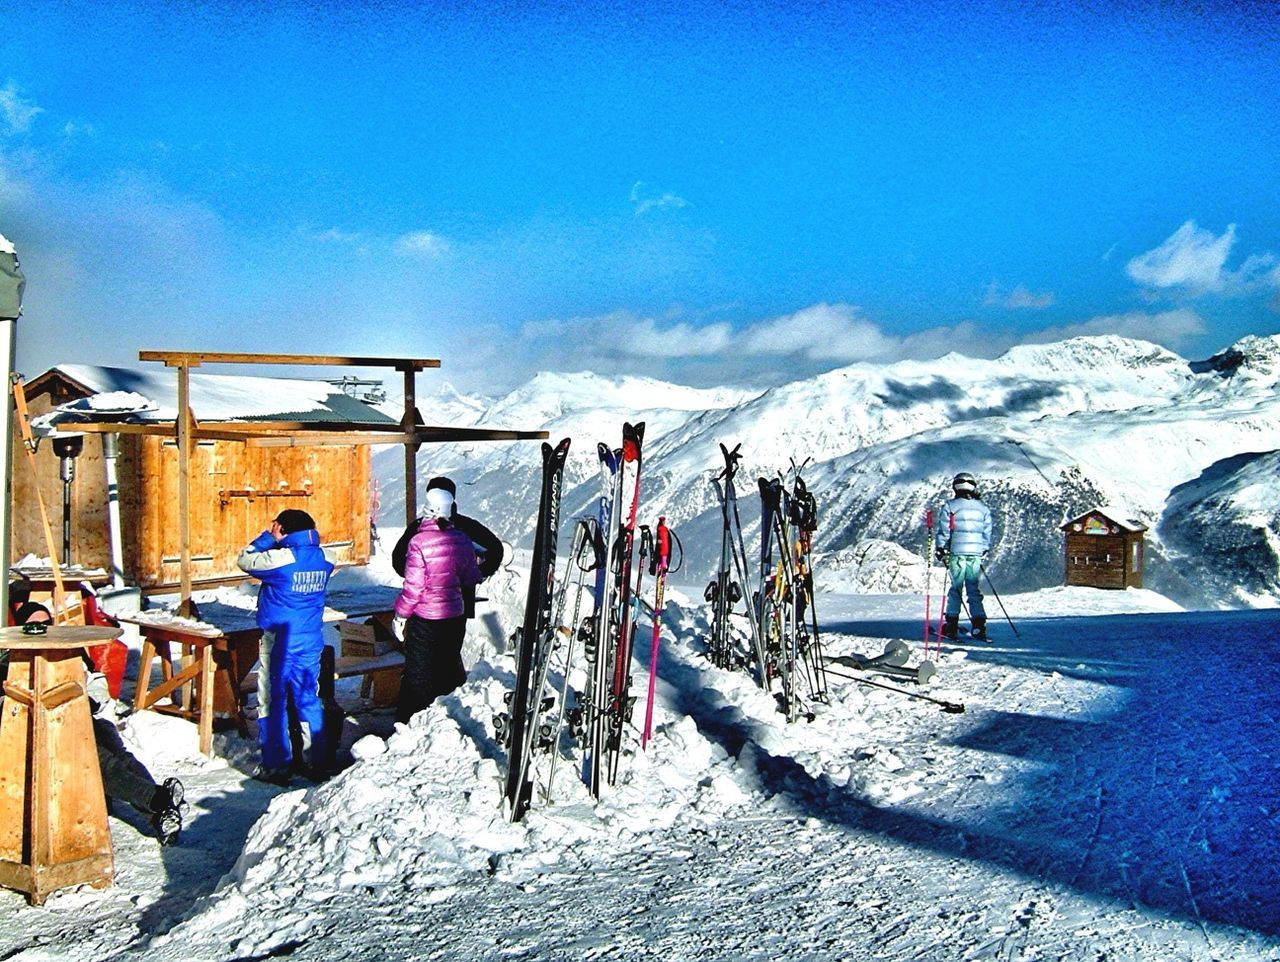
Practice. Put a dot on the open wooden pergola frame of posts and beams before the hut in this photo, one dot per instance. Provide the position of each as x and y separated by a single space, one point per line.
269 434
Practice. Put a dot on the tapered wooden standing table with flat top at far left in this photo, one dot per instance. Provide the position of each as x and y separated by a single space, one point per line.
53 810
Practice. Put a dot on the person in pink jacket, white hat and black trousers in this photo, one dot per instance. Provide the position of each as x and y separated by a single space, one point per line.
431 612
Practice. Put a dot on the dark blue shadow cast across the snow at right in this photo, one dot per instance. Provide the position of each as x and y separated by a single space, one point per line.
1163 791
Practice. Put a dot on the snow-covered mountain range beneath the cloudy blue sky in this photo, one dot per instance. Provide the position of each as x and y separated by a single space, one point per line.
1053 430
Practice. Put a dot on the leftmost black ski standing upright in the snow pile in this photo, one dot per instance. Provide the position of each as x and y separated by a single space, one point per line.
519 729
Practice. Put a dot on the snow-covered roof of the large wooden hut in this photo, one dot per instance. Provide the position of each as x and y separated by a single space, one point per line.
153 396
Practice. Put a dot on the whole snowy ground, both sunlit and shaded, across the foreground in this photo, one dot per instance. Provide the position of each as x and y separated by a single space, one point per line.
1112 792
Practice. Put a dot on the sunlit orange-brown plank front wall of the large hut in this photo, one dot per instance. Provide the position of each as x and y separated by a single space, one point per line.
330 483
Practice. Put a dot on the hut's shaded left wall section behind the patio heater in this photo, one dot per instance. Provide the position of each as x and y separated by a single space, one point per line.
89 530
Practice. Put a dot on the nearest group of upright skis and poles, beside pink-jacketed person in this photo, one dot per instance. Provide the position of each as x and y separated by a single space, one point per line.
607 548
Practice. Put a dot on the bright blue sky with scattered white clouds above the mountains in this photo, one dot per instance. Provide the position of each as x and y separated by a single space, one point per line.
712 194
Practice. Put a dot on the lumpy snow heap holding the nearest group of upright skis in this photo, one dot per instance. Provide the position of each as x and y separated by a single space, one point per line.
424 809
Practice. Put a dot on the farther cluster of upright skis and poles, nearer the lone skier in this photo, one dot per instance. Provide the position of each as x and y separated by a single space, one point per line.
781 619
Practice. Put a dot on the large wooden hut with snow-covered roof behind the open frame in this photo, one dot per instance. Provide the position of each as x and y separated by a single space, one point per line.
236 489
